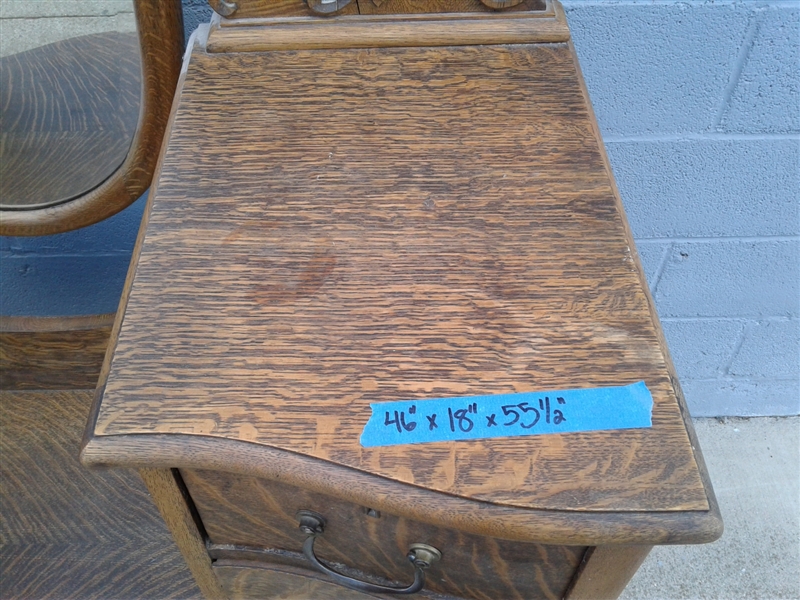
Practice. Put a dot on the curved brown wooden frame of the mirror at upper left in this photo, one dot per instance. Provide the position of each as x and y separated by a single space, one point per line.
160 27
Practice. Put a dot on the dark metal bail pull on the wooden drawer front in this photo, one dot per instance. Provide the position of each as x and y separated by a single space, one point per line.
421 556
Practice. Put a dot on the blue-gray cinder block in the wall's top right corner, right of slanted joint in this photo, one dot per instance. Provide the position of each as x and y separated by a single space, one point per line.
765 99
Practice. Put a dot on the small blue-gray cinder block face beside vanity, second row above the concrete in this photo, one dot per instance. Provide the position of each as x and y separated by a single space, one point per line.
702 349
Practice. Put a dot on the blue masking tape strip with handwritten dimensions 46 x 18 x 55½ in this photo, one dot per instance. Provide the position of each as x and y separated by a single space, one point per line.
528 413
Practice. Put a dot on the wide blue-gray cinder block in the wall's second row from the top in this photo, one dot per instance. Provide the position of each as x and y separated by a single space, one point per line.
709 188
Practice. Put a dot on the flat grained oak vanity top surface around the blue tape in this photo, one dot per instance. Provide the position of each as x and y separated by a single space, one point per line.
339 227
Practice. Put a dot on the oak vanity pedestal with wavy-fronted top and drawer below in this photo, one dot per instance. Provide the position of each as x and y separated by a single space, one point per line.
372 201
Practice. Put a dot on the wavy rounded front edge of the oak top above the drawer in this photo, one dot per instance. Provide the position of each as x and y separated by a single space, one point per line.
482 518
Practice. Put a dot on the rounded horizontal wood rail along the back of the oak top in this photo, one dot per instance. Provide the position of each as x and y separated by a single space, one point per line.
392 32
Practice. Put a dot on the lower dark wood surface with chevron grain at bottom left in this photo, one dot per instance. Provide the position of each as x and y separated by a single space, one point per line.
67 532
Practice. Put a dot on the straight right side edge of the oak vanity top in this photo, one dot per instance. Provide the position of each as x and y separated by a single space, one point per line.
687 421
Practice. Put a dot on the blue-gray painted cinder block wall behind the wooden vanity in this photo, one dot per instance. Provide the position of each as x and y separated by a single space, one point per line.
698 103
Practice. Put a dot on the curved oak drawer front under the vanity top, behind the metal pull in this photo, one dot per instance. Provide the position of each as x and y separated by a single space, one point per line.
250 518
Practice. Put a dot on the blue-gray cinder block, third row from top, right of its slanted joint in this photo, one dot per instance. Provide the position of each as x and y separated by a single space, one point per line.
731 279
